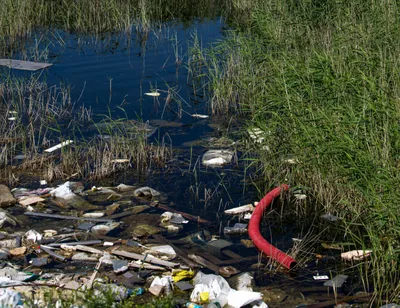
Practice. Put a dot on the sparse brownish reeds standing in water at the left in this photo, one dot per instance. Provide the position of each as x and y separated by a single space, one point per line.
35 117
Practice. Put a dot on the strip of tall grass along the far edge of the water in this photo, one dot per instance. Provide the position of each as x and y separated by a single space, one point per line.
19 18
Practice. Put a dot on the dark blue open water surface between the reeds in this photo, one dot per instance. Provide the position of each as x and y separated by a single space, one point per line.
110 74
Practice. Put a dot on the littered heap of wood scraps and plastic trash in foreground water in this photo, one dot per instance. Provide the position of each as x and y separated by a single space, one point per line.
128 240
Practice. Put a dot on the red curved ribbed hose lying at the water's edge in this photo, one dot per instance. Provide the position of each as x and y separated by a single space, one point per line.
257 238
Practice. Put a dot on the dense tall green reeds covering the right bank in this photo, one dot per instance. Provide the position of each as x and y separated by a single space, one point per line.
321 79
